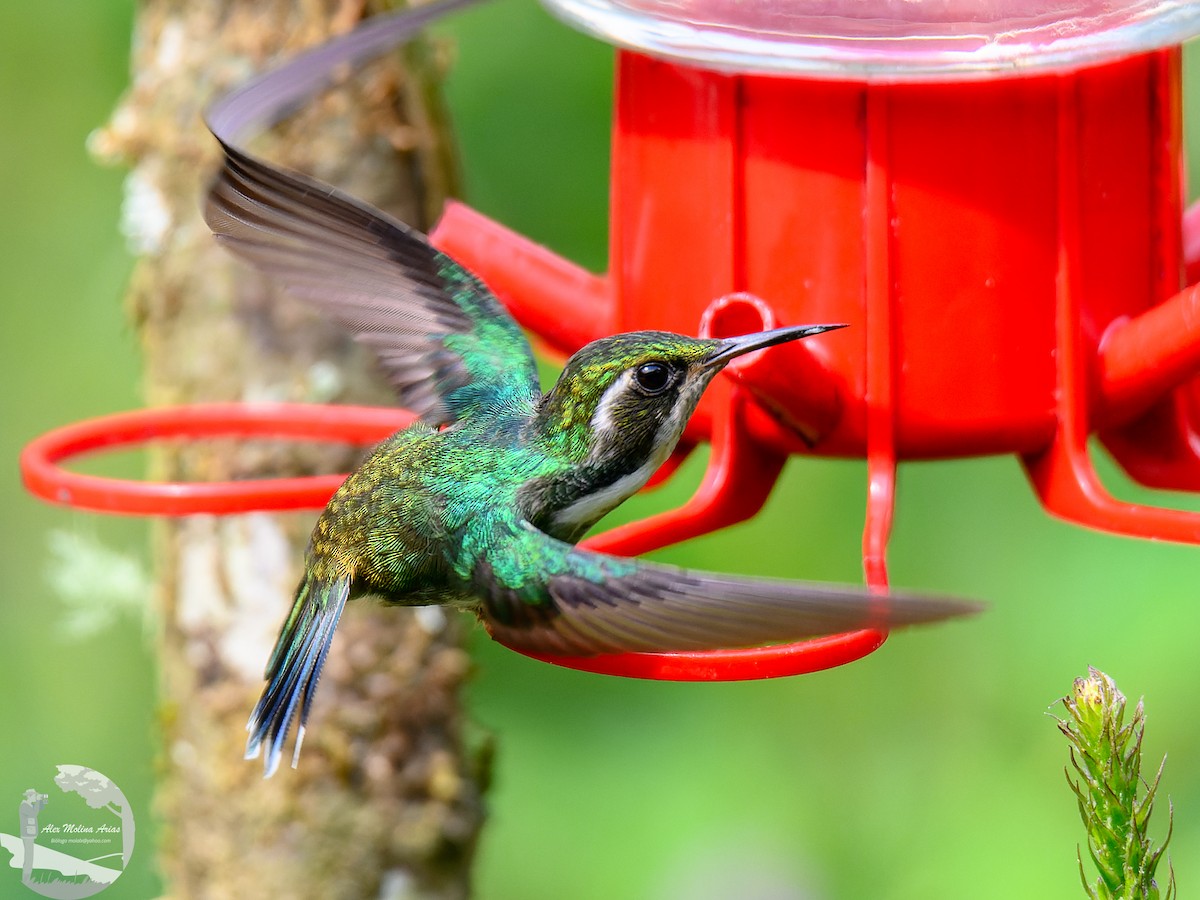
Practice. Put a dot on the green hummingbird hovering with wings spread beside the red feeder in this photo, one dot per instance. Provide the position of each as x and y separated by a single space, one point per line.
479 505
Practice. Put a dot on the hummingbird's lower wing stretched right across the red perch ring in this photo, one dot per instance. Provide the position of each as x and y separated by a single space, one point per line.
587 604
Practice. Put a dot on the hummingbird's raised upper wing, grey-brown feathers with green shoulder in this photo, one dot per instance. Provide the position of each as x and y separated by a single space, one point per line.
446 343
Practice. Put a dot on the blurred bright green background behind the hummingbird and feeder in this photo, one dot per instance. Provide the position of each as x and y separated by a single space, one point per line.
931 770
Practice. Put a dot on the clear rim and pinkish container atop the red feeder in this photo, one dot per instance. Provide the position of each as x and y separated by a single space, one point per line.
886 40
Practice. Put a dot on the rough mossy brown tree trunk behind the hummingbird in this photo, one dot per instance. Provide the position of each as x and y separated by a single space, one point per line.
387 797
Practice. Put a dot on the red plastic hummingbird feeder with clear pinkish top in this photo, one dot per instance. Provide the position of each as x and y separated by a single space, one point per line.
991 197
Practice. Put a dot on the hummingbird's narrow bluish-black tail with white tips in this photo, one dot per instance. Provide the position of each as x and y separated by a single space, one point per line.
295 668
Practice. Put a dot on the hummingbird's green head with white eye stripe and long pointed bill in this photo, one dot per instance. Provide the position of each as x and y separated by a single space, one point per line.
629 397
